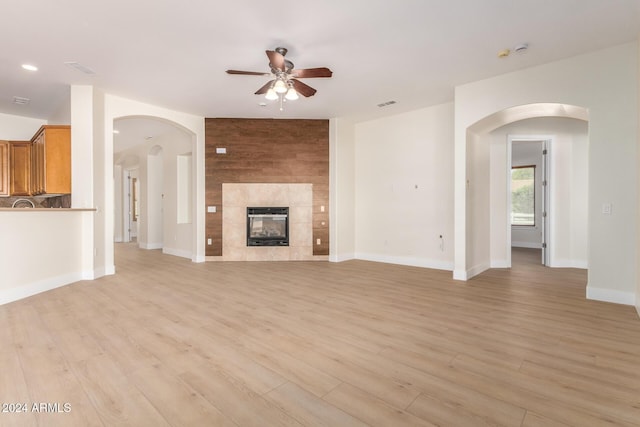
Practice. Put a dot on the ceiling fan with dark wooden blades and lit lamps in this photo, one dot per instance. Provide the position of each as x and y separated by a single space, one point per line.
285 83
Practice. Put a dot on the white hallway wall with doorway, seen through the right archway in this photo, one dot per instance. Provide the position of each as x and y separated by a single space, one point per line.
568 179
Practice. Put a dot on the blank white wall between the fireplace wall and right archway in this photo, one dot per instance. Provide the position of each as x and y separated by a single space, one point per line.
404 188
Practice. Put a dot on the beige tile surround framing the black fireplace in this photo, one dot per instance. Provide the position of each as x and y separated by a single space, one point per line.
235 200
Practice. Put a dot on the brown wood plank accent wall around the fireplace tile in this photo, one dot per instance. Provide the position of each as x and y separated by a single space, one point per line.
267 151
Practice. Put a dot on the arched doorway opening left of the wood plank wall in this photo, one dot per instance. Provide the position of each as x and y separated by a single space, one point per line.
160 147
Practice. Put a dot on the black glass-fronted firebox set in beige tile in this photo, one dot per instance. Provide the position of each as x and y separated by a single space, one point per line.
267 226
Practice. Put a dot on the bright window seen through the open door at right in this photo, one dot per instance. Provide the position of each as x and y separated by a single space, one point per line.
523 195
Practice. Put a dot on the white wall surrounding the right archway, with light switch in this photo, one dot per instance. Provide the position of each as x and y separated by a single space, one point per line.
605 83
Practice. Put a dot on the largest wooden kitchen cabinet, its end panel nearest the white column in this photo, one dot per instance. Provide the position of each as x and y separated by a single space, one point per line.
51 160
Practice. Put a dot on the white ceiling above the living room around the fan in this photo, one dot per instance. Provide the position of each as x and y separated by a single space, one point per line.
174 53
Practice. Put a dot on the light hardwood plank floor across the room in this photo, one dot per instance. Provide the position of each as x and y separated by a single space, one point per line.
169 342
